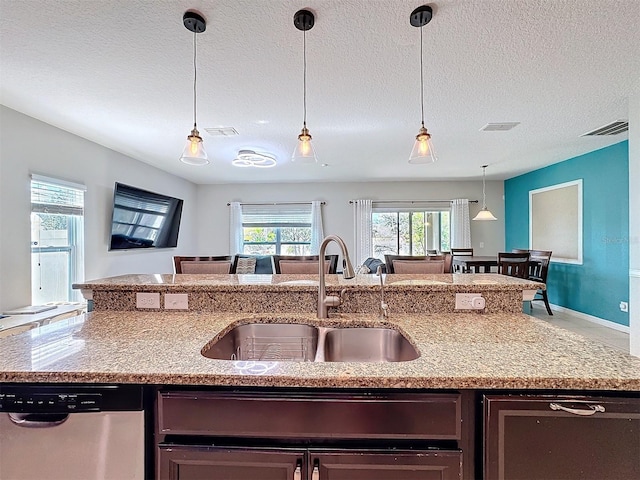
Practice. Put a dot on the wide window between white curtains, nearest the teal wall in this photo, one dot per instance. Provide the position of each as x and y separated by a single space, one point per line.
409 231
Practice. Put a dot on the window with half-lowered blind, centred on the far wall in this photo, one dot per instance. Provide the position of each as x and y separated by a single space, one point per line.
277 229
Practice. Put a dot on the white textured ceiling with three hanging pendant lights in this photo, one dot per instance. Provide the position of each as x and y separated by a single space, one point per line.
119 73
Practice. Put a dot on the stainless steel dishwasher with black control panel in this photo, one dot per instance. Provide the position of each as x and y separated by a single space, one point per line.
71 432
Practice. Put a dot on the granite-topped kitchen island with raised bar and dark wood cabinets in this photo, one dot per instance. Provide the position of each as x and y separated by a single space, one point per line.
318 419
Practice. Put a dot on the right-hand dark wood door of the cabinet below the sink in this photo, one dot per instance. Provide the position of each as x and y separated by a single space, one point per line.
401 465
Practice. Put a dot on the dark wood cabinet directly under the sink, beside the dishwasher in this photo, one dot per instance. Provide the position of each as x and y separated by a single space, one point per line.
318 435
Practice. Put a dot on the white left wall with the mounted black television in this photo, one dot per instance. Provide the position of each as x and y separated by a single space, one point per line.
30 146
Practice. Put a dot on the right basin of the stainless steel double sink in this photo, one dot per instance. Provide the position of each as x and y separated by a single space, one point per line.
367 345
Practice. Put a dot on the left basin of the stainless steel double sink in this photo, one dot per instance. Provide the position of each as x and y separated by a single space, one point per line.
266 341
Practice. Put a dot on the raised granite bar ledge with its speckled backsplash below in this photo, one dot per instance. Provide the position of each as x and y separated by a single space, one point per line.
407 294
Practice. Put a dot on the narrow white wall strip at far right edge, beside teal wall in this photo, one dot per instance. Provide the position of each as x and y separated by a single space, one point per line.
634 222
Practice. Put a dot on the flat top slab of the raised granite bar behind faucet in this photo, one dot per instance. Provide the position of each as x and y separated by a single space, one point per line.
194 283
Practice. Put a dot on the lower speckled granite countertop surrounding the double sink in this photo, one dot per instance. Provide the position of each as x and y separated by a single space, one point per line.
458 351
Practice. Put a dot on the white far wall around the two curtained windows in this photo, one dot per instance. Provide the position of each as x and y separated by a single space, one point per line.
213 237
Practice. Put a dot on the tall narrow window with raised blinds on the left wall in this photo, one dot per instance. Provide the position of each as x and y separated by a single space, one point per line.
57 240
